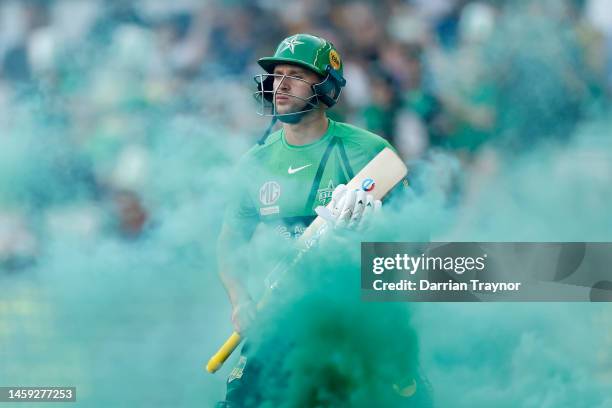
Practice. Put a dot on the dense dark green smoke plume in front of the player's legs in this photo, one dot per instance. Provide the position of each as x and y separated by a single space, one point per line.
323 347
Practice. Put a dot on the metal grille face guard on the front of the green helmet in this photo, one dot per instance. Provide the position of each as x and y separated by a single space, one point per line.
266 97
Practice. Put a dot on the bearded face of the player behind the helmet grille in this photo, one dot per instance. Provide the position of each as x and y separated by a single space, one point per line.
292 80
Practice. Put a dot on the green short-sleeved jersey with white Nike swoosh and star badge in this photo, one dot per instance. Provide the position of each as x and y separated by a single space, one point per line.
282 184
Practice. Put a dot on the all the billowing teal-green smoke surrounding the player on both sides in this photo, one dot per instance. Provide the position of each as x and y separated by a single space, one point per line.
129 320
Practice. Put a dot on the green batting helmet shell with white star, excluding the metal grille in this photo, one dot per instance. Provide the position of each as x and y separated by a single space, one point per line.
316 54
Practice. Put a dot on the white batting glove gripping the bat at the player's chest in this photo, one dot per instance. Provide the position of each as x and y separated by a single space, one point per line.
350 209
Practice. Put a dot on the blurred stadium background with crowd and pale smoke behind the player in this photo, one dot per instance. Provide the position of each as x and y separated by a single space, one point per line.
119 122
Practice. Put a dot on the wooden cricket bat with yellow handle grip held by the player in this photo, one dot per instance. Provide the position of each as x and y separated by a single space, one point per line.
378 177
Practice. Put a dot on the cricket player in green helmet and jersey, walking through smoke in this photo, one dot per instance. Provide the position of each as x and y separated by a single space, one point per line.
285 177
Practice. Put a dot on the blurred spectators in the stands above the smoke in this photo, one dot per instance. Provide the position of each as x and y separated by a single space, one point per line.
94 94
